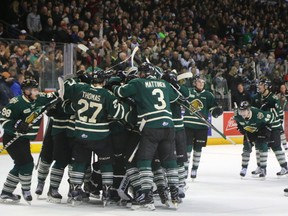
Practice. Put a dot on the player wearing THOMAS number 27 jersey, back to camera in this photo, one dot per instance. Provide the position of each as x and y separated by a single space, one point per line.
93 105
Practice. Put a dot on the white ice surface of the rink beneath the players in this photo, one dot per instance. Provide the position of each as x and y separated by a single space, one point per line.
218 190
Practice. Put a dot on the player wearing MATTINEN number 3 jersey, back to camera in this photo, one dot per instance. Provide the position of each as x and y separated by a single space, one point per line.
152 97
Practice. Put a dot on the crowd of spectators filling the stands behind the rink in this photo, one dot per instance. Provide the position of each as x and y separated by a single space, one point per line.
228 41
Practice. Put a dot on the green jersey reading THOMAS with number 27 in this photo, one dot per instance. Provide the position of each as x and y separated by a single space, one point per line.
93 107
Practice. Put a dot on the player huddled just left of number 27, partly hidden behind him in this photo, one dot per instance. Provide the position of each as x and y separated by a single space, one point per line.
57 145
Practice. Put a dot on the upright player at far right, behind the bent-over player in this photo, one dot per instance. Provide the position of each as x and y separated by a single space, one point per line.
268 101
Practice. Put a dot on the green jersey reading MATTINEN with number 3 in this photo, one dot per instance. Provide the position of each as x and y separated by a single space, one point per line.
152 97
